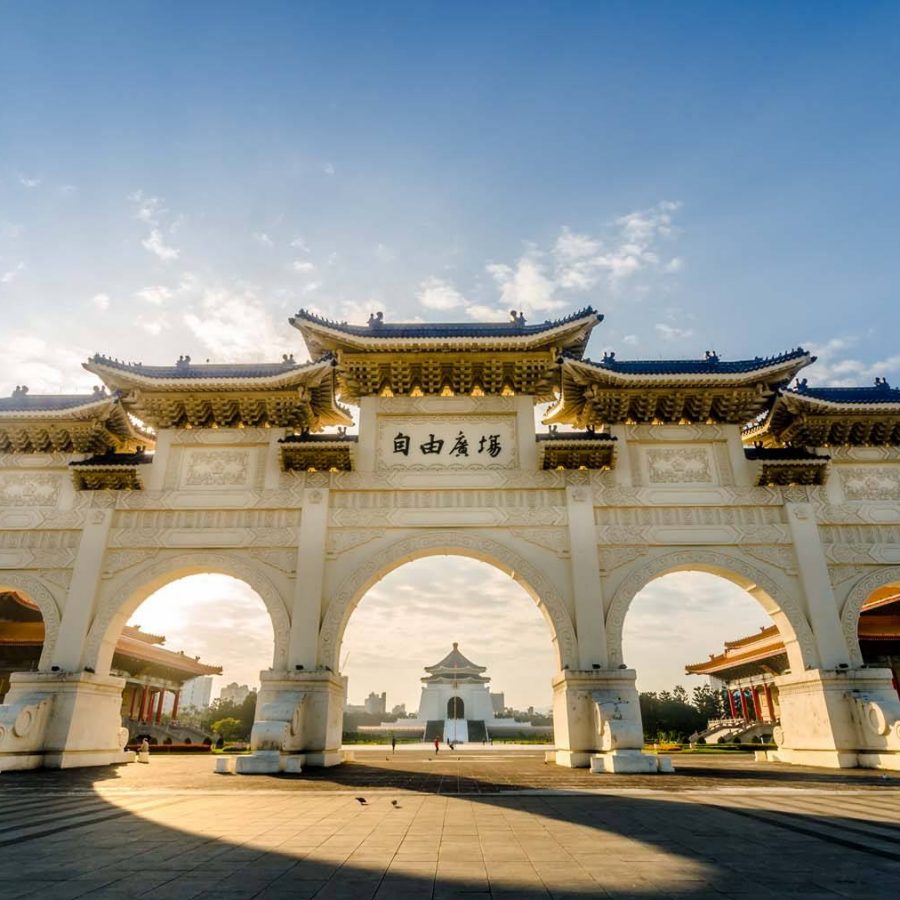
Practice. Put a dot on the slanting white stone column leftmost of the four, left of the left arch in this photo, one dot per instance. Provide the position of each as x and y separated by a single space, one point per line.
83 588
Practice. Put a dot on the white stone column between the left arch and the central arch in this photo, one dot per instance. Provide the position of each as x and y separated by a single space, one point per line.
308 582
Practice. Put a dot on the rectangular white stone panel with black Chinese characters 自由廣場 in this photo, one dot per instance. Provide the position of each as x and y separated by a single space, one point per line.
446 442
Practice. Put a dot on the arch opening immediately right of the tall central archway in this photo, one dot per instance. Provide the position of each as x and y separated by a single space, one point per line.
708 647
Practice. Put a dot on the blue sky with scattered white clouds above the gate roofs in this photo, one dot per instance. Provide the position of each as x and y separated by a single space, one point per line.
179 178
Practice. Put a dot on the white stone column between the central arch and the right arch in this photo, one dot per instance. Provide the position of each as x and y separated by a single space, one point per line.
586 587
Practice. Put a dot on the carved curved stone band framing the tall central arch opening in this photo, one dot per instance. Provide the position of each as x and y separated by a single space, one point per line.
351 591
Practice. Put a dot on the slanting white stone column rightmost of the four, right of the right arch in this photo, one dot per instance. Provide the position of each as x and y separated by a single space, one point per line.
813 571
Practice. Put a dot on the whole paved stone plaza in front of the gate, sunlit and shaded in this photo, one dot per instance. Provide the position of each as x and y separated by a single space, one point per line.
498 823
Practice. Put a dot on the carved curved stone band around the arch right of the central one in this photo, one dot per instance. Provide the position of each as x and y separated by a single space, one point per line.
724 564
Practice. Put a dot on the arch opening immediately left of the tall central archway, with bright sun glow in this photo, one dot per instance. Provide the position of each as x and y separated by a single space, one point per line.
191 654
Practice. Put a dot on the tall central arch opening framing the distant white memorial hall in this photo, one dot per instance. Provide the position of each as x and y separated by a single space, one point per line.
448 648
